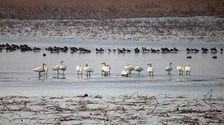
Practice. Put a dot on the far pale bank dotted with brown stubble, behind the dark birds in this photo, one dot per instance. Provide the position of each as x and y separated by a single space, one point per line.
208 29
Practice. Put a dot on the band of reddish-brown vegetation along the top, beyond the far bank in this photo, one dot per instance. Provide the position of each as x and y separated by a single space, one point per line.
103 9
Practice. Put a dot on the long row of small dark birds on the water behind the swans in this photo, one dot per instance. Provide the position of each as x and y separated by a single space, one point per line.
65 49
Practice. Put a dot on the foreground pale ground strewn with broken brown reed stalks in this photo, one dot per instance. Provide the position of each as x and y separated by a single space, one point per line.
123 109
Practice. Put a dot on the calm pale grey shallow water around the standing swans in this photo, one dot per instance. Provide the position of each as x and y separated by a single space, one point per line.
17 77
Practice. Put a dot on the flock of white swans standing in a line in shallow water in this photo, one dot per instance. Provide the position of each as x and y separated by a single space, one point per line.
105 69
